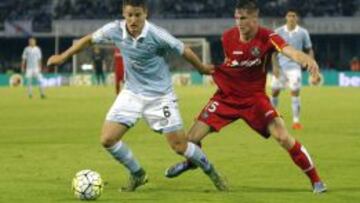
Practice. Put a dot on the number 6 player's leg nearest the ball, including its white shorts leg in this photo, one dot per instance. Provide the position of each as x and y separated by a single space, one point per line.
123 114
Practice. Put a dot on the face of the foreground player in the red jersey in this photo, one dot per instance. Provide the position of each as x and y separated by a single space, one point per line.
246 20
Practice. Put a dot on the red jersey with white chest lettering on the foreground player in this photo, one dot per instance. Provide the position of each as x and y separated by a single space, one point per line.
244 72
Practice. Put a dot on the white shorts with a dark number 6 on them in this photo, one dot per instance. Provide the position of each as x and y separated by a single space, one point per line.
161 113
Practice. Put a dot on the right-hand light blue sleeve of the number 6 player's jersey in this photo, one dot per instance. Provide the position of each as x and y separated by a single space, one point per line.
169 42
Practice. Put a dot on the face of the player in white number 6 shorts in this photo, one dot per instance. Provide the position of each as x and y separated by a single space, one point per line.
135 19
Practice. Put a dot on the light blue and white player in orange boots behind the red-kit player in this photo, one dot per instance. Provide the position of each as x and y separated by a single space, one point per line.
286 72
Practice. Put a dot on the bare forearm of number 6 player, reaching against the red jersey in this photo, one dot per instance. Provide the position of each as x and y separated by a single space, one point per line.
191 57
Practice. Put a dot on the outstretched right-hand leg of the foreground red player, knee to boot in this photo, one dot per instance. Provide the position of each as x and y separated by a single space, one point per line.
298 153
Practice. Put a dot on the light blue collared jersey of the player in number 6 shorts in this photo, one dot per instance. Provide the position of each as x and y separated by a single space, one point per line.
146 70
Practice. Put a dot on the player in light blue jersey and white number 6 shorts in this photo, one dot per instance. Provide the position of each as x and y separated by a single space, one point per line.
147 91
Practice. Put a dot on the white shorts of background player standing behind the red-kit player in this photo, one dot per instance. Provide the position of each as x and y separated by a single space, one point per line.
289 78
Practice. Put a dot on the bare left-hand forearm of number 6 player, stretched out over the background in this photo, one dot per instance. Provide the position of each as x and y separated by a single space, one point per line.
77 47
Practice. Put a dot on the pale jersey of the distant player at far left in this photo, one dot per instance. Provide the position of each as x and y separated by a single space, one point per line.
32 57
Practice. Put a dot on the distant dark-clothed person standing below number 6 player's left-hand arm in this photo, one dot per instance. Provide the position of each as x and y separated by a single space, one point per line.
99 65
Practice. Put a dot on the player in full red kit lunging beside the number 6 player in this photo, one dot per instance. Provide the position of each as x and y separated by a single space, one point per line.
241 93
